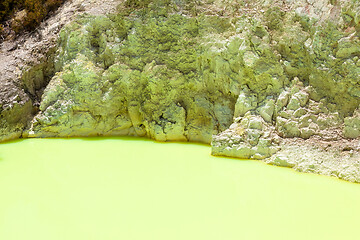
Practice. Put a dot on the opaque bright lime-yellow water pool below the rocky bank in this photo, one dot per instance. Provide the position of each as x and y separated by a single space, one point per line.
132 189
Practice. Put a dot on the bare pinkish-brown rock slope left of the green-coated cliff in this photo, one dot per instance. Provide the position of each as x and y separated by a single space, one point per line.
26 65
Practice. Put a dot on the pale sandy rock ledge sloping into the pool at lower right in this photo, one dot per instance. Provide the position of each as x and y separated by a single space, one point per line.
342 161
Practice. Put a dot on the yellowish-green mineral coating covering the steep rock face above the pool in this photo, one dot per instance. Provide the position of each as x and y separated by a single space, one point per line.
159 70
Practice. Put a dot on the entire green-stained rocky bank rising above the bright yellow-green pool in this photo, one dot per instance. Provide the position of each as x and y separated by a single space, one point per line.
278 82
